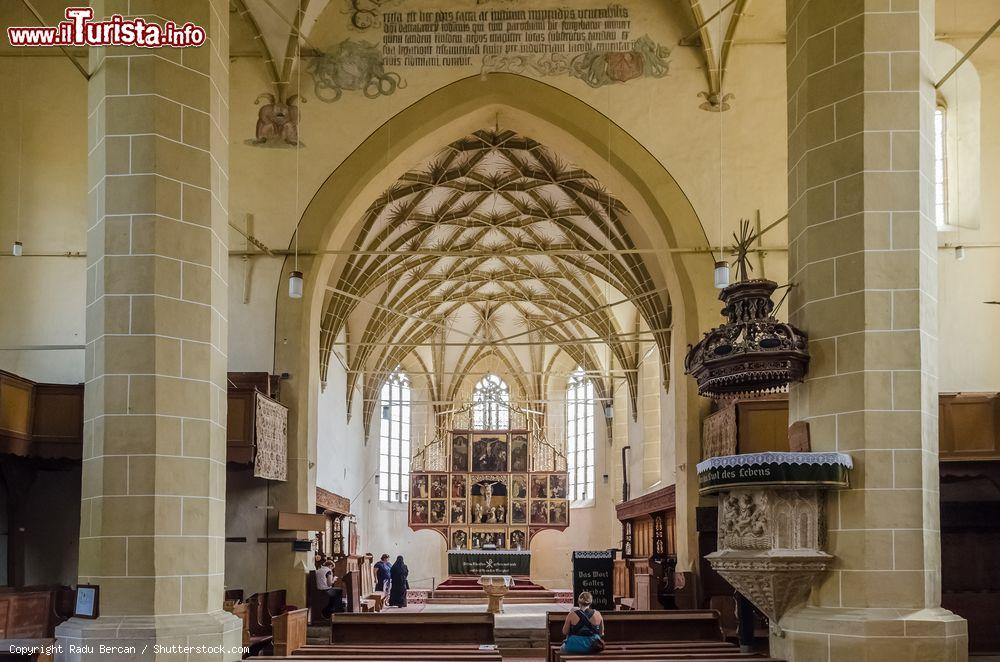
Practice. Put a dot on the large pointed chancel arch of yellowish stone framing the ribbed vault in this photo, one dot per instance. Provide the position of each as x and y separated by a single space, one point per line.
660 221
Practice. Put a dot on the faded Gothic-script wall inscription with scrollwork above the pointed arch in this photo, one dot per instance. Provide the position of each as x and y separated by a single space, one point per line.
593 44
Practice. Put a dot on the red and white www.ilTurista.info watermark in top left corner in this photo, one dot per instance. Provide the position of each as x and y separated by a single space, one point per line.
80 30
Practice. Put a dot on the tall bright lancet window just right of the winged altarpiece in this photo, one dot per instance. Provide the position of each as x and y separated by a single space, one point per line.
580 436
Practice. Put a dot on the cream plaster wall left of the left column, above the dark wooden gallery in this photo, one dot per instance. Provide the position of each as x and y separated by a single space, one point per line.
44 172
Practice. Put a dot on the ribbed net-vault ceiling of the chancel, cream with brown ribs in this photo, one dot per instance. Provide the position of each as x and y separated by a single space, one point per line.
495 253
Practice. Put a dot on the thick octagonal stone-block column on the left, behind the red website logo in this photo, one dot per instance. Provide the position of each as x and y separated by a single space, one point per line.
153 500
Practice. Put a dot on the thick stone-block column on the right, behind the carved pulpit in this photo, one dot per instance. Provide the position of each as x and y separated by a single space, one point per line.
863 251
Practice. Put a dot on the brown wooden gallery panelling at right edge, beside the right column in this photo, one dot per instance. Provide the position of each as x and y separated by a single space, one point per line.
969 426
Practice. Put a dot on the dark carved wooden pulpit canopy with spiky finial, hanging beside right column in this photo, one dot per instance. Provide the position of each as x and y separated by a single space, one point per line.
752 352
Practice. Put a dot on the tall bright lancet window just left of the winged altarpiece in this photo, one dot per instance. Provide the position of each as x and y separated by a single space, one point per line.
394 440
